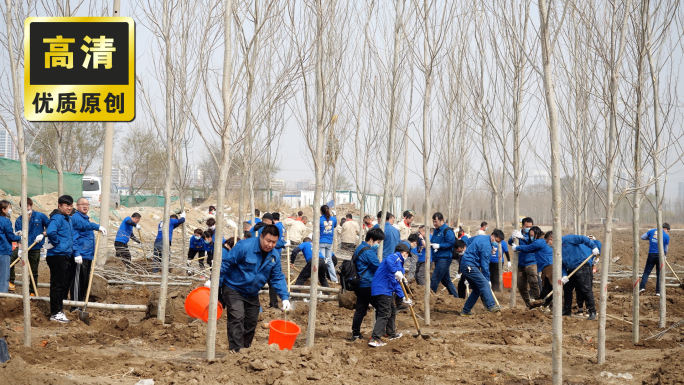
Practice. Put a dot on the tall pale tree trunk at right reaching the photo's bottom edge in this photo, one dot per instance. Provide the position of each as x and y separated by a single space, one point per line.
552 110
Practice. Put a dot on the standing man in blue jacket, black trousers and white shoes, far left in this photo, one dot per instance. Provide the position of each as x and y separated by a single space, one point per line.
60 257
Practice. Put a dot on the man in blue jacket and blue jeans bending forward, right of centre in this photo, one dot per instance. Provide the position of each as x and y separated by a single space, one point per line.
475 269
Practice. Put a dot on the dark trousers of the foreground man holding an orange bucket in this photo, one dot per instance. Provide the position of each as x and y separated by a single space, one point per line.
243 315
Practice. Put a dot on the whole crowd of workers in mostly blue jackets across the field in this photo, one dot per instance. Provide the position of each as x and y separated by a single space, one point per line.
255 260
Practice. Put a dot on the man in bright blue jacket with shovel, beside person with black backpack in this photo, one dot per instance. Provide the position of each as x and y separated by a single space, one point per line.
384 288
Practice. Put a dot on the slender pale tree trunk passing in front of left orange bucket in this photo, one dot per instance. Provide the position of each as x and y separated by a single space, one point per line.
223 176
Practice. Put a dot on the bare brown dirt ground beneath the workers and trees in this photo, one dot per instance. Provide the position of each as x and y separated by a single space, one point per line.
510 347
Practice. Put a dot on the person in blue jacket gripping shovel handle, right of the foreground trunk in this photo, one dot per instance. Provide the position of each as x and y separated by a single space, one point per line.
573 257
